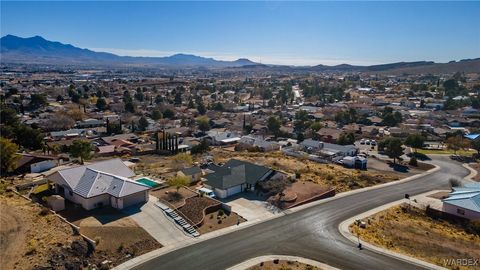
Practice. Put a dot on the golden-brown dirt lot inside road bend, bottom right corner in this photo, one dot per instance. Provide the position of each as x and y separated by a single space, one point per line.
410 231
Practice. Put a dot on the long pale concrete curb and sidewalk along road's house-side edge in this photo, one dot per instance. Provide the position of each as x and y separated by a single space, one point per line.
164 250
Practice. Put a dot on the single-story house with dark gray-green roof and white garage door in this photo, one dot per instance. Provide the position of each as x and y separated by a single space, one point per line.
235 176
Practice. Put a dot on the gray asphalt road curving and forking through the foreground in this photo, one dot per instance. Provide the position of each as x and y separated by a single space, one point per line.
310 233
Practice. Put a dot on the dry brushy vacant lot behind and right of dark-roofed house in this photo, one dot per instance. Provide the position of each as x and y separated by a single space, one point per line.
331 175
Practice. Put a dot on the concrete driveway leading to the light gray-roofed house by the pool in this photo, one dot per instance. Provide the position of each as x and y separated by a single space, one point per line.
153 220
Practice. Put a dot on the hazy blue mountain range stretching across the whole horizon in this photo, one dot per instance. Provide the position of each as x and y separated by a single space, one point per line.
37 50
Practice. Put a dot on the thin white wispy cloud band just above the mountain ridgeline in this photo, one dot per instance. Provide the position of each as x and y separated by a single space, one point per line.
276 59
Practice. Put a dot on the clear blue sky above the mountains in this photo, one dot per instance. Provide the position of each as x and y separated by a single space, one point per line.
297 33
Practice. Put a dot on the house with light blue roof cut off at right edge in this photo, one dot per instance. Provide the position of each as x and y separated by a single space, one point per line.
464 201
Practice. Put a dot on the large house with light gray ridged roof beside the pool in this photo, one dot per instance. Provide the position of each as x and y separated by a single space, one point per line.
100 184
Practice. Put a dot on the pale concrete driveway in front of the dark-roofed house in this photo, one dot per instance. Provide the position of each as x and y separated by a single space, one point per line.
251 207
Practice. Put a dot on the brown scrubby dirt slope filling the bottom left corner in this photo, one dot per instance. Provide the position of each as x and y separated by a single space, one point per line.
31 238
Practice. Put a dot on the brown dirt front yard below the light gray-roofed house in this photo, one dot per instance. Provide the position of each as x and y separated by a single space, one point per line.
104 226
